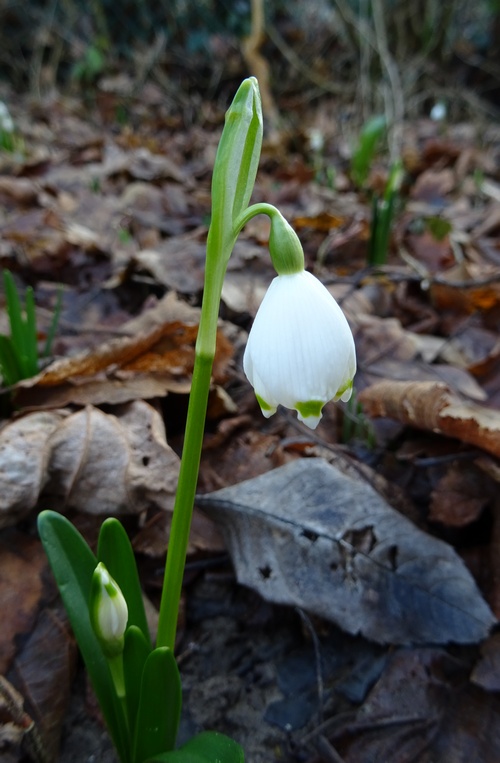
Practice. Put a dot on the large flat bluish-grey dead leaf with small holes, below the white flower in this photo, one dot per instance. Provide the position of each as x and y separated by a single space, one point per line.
310 536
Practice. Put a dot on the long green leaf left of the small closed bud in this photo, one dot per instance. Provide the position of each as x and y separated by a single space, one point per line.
73 565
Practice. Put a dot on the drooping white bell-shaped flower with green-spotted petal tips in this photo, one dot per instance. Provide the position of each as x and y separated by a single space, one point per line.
300 352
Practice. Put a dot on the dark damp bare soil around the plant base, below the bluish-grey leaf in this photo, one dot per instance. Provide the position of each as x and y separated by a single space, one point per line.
265 675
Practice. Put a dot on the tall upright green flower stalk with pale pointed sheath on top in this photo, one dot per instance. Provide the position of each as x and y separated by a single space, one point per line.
232 184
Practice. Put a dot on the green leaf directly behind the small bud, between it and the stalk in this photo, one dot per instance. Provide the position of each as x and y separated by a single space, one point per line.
115 550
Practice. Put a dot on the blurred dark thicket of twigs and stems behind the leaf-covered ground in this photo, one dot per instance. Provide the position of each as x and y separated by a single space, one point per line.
372 56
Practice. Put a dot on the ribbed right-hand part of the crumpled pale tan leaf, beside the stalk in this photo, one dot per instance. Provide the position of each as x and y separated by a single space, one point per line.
108 464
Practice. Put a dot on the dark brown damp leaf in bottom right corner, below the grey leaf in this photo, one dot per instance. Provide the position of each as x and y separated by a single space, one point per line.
423 709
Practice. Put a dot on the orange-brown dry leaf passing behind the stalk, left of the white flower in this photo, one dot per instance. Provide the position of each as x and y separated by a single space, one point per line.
155 357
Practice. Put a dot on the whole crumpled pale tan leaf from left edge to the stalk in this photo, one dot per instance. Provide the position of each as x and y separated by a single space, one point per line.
89 461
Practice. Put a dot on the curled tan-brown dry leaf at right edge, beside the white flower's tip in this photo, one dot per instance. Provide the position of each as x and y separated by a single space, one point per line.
433 406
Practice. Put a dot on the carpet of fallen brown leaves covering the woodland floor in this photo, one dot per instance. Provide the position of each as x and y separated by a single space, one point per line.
120 221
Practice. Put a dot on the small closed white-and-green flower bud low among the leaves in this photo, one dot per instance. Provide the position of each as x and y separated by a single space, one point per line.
108 611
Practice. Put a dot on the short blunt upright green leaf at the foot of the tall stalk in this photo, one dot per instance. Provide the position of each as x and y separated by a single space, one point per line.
159 708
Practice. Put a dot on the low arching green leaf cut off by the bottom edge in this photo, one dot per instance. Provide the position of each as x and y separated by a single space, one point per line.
207 747
